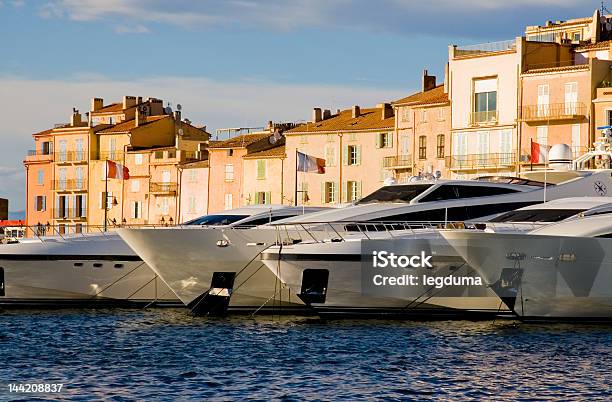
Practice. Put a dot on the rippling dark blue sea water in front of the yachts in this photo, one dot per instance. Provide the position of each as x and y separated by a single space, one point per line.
166 354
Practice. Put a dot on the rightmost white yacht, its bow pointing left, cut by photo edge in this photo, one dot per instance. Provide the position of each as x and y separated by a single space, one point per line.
560 271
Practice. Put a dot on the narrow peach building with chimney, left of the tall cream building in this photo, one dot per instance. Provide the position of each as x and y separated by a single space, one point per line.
422 132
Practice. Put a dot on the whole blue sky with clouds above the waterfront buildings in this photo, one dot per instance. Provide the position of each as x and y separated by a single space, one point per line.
231 63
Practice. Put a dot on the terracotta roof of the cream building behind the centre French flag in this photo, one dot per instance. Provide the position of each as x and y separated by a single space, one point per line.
368 119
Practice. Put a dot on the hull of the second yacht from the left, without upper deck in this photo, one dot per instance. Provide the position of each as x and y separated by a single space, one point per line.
187 260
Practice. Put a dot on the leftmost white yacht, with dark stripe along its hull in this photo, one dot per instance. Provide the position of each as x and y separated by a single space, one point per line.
91 269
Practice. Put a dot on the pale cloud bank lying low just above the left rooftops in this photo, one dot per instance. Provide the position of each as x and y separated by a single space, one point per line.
30 106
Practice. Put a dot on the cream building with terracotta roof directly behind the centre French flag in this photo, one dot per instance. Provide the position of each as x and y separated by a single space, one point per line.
354 144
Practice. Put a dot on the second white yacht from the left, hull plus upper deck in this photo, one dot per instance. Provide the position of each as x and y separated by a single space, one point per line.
203 268
